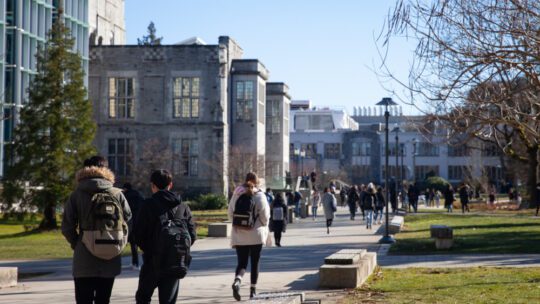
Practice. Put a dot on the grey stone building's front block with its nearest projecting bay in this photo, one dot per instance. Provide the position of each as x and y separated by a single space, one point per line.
185 107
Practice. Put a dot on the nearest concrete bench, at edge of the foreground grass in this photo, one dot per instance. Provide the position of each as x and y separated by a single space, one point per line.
347 268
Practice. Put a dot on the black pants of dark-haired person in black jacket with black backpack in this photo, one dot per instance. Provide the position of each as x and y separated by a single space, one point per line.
149 280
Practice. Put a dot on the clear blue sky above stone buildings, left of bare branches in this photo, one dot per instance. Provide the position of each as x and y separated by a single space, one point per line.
324 50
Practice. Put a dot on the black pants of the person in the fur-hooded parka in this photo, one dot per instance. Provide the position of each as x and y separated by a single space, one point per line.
93 290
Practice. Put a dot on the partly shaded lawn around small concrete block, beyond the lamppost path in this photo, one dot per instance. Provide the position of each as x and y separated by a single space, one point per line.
473 233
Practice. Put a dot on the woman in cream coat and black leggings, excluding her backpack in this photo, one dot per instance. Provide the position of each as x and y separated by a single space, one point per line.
248 242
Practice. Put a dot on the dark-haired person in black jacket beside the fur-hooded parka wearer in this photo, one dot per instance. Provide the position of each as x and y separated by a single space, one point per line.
164 230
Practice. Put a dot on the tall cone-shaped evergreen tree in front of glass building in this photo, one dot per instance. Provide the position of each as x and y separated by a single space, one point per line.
55 131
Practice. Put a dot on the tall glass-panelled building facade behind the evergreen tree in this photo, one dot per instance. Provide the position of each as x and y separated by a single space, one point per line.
24 25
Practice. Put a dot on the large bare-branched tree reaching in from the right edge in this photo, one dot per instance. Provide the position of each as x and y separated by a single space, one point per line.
475 68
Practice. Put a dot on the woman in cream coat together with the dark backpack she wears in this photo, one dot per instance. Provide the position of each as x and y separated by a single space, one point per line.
249 213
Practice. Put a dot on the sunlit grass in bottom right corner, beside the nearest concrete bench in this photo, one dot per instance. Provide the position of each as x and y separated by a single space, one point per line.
449 285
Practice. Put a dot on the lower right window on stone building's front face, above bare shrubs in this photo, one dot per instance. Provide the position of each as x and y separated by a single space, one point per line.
186 156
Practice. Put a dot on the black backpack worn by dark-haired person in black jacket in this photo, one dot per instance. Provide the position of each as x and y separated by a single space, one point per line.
172 248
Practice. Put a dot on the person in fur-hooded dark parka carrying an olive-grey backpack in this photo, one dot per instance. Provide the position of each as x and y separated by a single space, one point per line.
93 207
